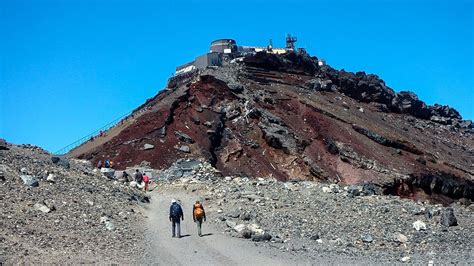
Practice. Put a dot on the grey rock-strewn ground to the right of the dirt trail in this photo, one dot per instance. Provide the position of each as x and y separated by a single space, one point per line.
327 220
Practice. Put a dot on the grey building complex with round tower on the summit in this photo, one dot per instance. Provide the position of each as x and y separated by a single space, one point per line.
223 48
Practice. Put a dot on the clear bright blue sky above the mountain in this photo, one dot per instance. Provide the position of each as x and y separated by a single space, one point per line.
69 67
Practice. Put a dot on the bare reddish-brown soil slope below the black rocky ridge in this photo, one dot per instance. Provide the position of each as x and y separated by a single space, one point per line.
236 144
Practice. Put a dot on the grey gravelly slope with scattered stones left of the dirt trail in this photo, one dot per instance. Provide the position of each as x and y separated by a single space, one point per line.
54 210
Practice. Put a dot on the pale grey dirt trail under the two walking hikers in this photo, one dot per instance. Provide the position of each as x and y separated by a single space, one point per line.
214 248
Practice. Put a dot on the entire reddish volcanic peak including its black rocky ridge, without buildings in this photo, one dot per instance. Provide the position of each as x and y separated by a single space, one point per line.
286 117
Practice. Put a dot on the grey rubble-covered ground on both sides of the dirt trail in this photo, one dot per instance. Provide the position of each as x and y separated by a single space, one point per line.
62 211
